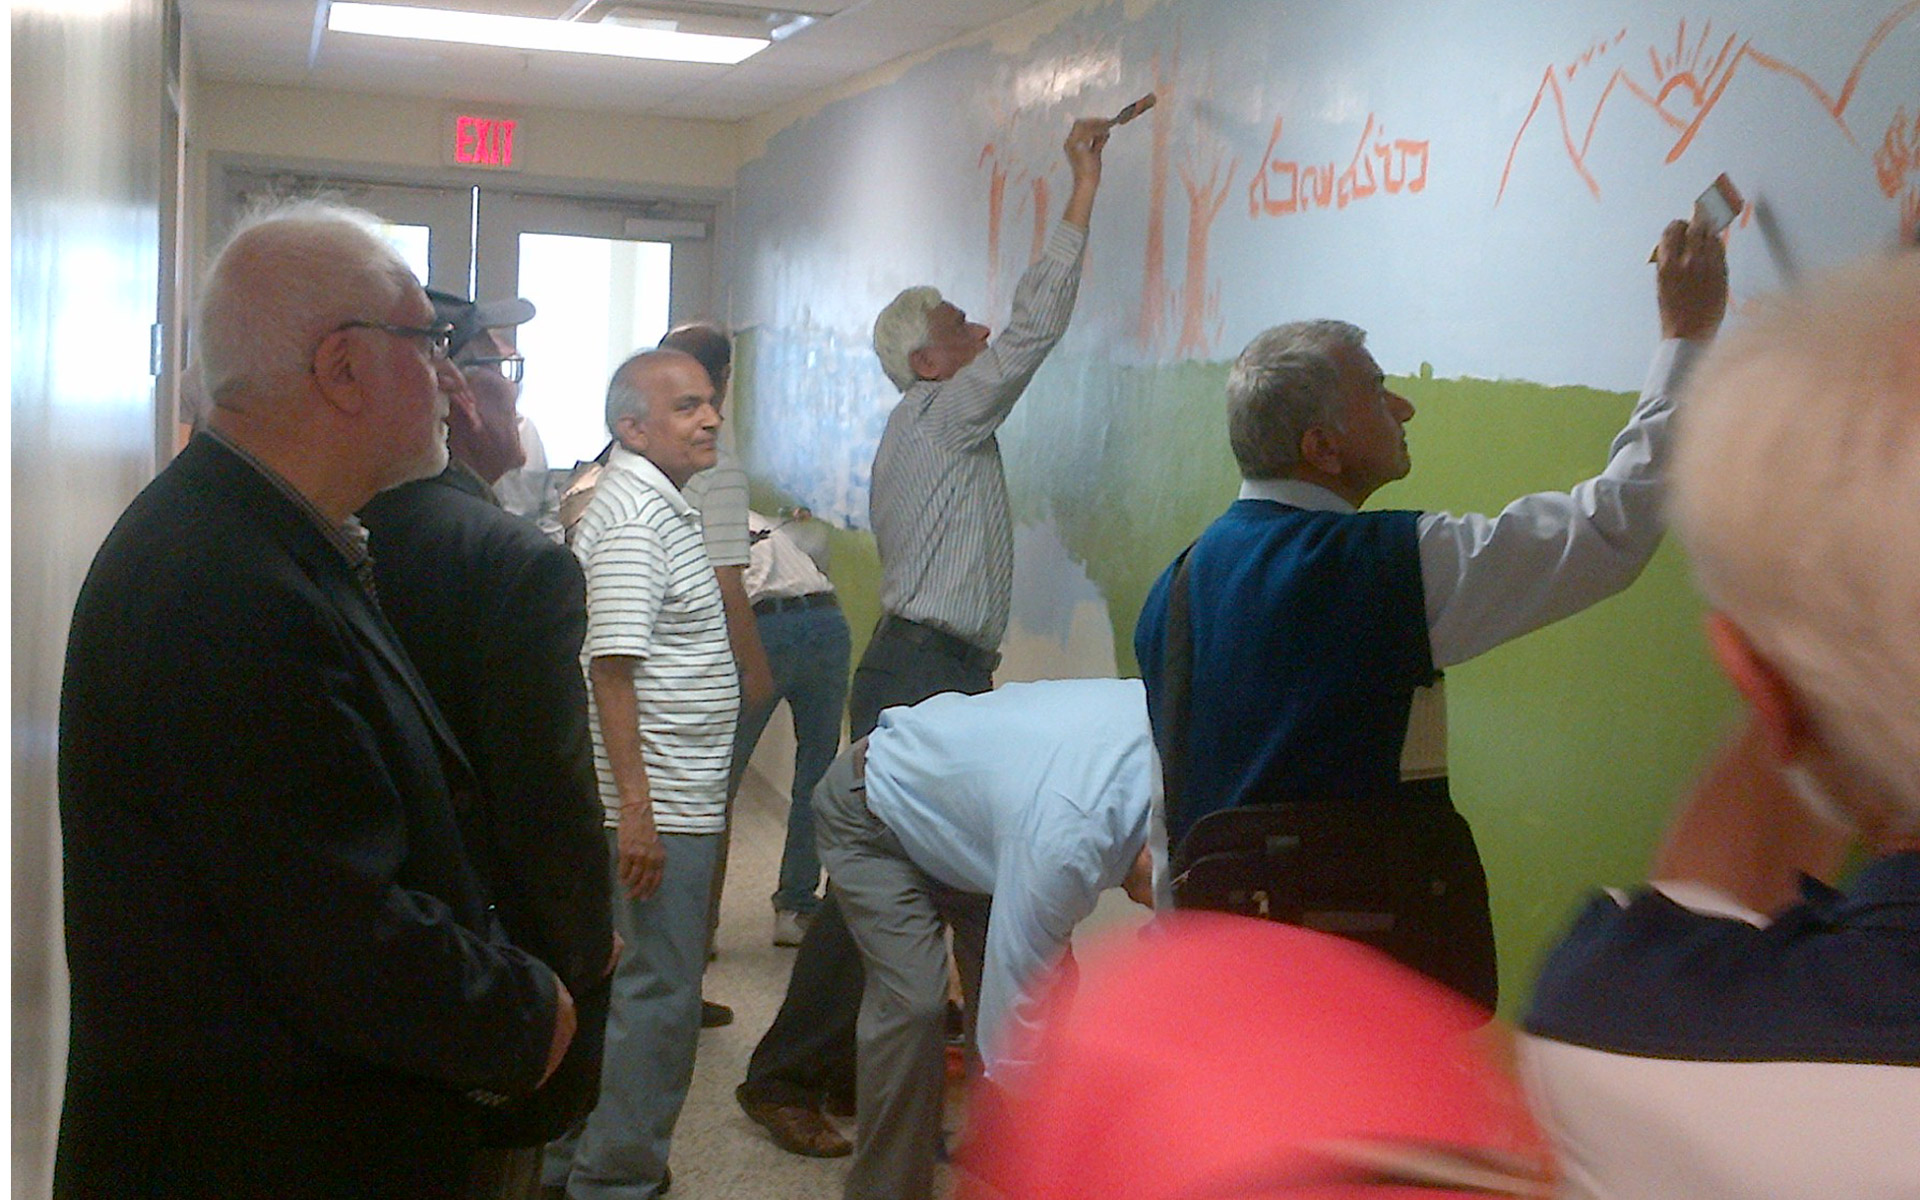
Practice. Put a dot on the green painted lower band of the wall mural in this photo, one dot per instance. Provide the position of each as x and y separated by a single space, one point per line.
1568 746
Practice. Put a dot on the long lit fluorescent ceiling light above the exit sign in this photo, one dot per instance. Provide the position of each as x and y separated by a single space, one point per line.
535 34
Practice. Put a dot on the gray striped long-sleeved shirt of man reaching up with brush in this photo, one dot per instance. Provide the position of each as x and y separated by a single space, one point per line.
938 504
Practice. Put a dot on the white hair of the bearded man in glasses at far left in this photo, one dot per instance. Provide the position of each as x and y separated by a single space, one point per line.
287 277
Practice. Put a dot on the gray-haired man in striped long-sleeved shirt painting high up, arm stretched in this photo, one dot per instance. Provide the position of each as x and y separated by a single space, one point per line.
946 537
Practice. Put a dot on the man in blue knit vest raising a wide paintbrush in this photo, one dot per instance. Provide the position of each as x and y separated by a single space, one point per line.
1320 631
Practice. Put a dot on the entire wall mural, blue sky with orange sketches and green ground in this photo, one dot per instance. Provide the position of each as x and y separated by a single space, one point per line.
1406 166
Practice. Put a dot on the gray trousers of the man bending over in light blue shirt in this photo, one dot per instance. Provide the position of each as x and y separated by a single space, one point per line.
898 917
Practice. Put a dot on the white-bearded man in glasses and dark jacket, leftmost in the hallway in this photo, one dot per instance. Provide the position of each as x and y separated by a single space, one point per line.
287 980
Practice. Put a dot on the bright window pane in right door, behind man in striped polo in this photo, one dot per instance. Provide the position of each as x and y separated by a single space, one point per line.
598 302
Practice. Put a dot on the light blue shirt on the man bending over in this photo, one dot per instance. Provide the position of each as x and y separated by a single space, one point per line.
1036 794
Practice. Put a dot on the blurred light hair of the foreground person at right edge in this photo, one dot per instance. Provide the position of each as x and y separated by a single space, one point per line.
1796 491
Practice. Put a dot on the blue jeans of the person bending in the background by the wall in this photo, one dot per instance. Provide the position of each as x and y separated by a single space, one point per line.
809 652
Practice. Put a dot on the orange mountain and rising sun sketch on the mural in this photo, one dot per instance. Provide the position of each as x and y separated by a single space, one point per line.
1691 80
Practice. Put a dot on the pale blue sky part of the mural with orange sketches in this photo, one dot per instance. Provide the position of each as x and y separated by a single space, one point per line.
1410 168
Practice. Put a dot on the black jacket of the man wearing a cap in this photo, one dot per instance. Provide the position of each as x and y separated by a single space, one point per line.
492 613
